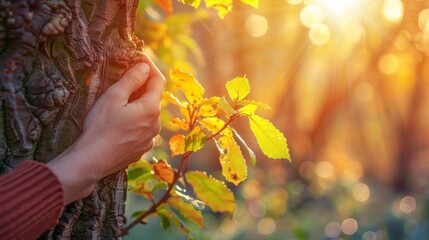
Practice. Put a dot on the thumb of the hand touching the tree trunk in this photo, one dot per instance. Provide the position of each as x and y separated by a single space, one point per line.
132 80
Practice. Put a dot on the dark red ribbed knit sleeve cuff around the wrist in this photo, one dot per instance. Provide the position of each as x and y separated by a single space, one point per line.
31 201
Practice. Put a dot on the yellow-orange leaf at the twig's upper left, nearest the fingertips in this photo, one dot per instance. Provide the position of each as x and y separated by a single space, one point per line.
188 84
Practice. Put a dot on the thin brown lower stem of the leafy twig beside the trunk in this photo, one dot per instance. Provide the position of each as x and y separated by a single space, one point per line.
163 199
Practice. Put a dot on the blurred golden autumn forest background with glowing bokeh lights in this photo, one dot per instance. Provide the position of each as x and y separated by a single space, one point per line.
348 83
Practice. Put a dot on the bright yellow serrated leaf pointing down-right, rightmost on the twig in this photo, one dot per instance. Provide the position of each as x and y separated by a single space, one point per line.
271 141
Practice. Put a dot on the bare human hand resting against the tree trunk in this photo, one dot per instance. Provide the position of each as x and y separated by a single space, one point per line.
116 132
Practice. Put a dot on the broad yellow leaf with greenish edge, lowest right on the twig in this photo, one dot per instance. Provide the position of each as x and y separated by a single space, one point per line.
212 192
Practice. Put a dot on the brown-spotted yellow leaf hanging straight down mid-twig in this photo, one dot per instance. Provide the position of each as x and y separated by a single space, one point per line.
233 164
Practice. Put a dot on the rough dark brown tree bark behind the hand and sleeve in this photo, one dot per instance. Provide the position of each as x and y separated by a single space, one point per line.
57 57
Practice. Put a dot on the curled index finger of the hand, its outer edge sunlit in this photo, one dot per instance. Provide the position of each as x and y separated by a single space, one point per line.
156 83
